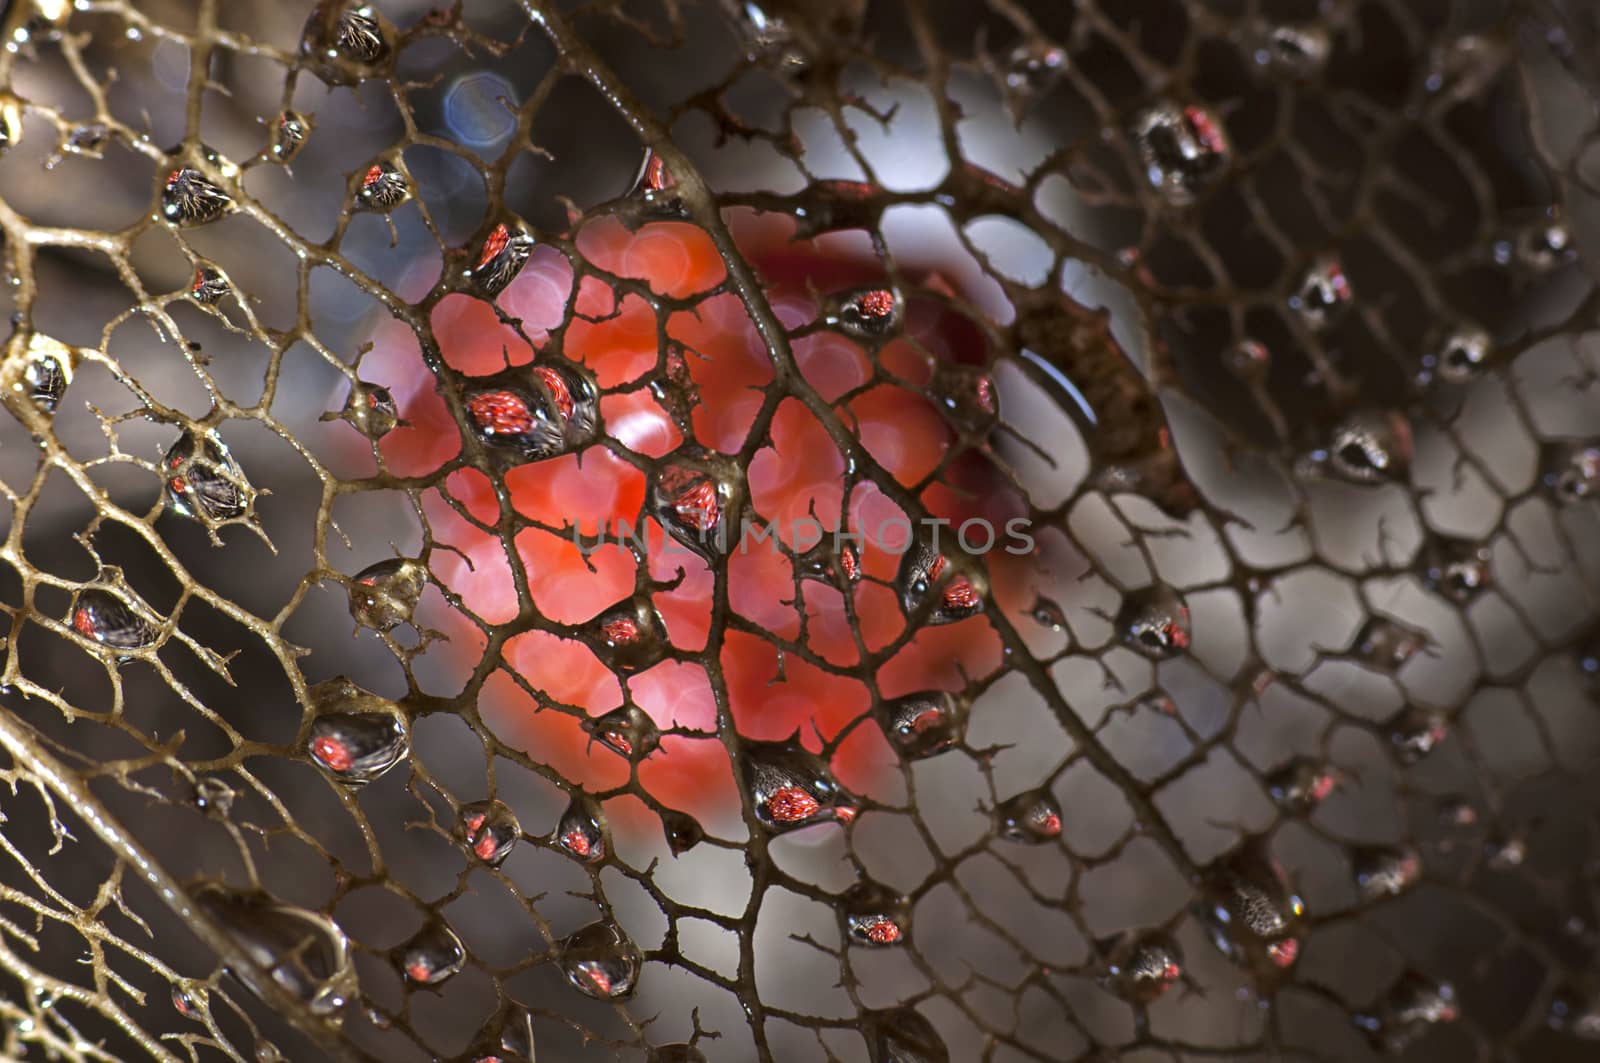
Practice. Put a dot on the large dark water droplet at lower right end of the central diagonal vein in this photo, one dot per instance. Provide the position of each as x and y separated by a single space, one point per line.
1250 912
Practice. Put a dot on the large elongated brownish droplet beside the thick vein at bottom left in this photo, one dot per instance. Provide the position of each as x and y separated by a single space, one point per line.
300 952
